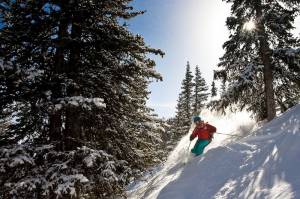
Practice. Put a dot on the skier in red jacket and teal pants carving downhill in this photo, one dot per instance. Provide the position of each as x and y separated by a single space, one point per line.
204 132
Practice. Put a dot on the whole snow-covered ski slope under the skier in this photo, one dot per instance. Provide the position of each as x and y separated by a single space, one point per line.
265 164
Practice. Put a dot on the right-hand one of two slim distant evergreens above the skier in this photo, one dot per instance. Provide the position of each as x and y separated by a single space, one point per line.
200 92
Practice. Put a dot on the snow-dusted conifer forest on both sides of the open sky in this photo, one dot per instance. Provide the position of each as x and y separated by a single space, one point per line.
74 85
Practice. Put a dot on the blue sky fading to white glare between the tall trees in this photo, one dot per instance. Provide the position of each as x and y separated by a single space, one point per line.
192 30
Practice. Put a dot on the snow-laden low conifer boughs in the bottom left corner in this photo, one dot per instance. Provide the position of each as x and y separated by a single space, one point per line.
41 171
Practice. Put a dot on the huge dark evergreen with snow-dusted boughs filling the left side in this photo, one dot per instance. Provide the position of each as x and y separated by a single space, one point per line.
73 84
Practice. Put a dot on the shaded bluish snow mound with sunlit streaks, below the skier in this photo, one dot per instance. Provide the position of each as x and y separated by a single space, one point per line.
265 164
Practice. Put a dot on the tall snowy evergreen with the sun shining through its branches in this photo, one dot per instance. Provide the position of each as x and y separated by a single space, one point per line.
255 59
